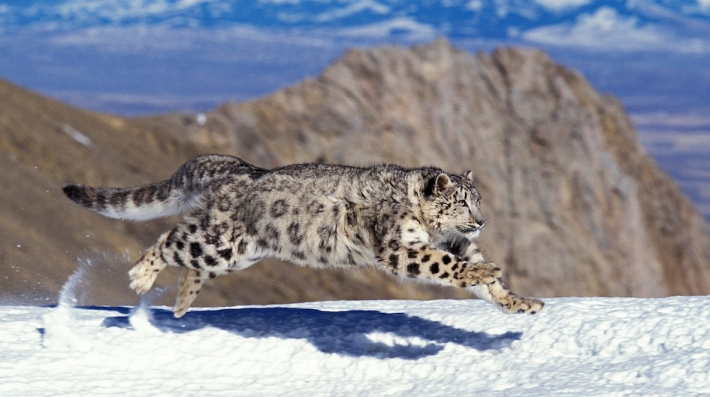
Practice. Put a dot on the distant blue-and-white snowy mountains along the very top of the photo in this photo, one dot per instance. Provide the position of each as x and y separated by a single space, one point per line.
625 25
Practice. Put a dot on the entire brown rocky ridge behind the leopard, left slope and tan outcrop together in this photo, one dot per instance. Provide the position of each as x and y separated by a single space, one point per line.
575 206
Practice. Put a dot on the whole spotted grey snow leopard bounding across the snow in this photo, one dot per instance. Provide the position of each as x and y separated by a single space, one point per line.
413 223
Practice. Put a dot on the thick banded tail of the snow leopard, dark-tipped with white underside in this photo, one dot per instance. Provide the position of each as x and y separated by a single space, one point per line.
176 195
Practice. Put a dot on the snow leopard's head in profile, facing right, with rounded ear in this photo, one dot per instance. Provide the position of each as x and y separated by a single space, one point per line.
452 204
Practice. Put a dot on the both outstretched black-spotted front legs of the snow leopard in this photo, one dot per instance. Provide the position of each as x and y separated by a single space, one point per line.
433 264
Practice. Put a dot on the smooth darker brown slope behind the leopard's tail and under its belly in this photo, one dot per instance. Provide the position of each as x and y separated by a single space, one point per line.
44 238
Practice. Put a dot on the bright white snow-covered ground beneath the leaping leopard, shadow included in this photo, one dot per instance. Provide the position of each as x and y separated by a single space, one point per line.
575 347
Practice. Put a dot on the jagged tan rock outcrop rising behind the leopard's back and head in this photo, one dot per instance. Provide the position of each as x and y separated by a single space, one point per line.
576 207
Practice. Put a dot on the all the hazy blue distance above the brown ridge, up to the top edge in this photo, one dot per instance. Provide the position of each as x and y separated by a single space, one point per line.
132 58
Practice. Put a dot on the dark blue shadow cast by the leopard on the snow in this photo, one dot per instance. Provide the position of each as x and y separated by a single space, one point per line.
352 332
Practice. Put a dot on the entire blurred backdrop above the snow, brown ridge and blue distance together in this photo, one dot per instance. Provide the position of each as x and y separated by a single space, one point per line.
578 207
